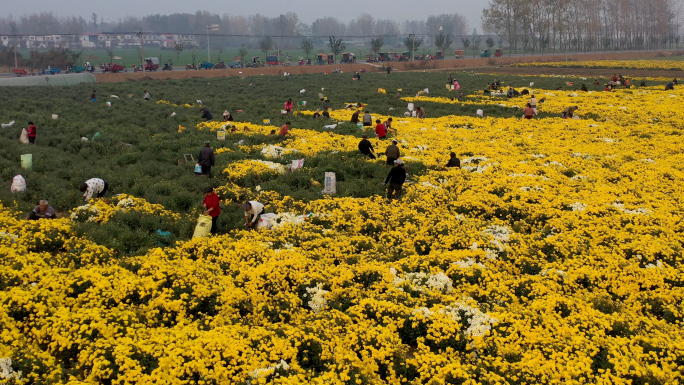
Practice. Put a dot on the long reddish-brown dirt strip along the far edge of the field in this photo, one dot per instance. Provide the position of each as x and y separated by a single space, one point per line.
472 64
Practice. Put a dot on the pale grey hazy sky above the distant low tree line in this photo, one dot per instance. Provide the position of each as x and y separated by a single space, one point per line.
307 10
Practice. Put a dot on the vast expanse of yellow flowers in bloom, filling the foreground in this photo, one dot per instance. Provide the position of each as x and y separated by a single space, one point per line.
553 256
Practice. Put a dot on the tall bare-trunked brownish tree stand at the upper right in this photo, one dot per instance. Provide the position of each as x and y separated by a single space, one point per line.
584 25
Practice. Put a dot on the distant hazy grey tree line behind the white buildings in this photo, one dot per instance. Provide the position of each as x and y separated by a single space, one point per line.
233 29
